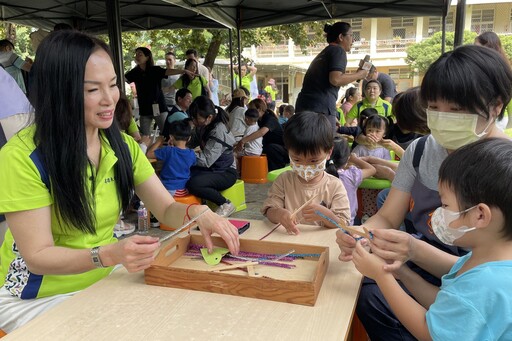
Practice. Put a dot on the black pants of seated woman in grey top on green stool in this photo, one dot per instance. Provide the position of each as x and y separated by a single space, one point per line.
207 184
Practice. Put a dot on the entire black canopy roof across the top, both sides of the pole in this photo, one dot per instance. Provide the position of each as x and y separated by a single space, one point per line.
90 15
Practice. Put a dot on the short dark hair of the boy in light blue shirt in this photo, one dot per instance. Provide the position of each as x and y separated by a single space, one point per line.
481 172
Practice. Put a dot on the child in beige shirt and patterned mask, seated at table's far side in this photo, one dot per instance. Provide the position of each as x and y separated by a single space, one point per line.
309 140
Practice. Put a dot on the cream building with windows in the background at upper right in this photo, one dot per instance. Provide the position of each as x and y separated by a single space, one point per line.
384 39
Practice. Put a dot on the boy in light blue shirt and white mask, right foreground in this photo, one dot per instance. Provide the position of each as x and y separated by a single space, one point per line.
475 292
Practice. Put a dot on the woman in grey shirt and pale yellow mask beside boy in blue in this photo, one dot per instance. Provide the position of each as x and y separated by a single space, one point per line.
459 113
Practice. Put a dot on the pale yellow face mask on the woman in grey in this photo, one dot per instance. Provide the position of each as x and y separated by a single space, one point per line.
454 130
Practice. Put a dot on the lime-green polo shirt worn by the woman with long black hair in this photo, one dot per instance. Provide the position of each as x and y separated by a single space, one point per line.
23 189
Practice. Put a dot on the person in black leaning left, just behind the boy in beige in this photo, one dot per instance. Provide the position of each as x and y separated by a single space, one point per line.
272 133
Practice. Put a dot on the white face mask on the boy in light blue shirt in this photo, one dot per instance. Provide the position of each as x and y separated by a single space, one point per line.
441 220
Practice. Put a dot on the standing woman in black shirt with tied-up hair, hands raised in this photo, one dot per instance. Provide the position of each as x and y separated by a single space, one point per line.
326 74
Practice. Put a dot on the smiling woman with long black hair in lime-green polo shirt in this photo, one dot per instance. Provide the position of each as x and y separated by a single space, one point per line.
65 180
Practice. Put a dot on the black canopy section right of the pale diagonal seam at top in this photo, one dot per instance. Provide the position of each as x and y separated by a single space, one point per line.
244 14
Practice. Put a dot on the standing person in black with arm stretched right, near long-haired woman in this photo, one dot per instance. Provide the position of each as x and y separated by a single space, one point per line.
148 82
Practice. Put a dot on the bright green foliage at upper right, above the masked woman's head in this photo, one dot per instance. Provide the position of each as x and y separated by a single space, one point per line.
421 55
